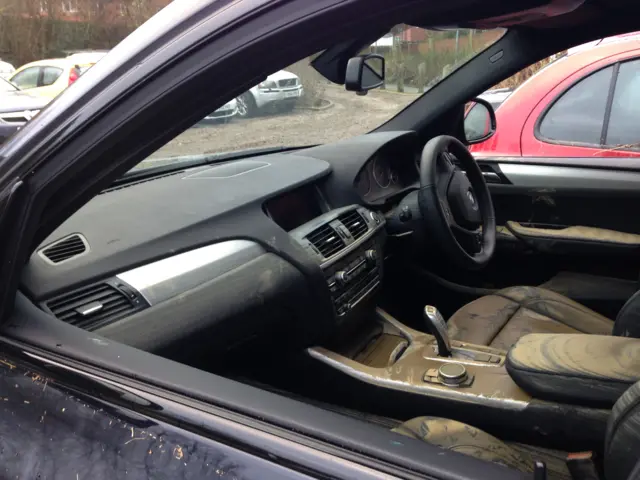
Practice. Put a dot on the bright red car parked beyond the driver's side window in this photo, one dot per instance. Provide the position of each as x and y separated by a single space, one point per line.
585 104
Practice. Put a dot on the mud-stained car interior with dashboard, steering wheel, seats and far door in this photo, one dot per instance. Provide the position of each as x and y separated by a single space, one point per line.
489 308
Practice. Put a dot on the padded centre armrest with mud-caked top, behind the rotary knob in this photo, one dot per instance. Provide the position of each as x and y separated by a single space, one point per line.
588 370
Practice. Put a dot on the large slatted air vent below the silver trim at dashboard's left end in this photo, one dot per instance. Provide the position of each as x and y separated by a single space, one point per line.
91 307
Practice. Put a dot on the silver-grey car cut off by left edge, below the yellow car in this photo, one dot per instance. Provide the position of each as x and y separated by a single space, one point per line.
16 108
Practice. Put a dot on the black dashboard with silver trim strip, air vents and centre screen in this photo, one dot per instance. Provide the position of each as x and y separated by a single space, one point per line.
217 255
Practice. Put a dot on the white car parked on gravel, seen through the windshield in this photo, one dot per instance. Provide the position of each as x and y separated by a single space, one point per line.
280 90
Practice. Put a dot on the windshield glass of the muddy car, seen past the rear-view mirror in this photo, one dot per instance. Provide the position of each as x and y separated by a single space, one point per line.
297 107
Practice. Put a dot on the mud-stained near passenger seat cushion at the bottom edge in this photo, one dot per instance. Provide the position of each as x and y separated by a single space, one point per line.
463 438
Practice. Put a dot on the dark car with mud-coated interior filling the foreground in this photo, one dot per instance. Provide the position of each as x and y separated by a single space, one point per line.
266 313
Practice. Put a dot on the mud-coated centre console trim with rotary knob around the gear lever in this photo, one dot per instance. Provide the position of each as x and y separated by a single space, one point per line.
400 358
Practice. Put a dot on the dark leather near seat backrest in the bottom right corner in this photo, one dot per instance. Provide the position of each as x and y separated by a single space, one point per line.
622 443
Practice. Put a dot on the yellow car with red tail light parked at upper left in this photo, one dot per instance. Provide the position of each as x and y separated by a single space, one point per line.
48 78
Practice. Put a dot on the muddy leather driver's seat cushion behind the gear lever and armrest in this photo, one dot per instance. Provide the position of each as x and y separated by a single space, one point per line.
500 319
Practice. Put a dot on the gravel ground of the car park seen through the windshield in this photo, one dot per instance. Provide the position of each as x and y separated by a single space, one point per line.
349 116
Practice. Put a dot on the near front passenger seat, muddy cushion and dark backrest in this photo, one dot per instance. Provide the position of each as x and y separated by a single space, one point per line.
620 459
